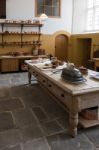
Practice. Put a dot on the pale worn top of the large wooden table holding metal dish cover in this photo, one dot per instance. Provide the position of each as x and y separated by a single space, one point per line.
91 85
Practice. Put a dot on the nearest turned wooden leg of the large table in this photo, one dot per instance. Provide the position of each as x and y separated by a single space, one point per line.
73 123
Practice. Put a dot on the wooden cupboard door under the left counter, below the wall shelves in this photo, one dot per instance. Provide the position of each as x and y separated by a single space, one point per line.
8 65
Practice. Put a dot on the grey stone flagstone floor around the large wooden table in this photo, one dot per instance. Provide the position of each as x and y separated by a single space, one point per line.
31 120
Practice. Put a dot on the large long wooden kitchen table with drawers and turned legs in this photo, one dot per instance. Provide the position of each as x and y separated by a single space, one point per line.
75 97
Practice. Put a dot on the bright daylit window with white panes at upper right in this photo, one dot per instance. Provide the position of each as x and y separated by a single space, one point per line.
92 15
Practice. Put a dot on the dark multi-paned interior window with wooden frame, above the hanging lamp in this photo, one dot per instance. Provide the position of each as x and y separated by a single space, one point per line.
50 7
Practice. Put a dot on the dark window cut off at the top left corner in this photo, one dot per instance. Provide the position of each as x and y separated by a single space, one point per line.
2 9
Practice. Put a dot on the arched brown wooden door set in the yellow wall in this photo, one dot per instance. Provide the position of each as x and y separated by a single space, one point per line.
61 47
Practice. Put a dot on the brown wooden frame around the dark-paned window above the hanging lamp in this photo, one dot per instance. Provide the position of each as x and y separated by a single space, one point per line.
36 6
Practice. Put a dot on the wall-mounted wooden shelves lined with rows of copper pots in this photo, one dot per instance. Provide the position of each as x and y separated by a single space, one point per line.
20 24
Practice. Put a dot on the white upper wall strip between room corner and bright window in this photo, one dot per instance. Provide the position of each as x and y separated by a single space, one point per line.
79 16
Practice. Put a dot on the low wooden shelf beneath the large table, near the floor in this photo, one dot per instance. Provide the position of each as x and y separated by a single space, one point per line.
88 123
